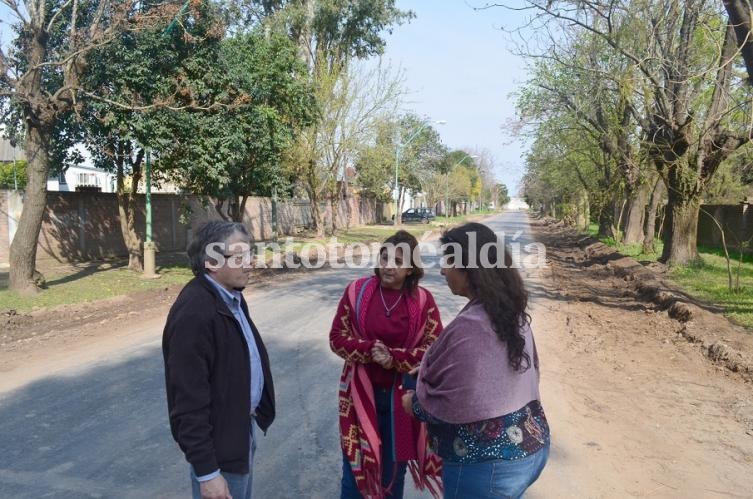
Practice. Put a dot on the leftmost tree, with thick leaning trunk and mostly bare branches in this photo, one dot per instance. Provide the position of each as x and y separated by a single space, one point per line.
40 76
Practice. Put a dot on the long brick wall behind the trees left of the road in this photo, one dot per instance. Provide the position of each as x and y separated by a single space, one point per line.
81 226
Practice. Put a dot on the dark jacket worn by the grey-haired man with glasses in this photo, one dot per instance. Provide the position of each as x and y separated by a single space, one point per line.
207 378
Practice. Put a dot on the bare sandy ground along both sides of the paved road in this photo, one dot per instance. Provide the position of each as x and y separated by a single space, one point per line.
635 408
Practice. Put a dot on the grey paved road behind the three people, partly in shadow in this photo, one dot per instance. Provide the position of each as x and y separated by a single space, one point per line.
100 430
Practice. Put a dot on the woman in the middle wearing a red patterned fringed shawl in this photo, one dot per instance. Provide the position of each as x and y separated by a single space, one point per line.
383 326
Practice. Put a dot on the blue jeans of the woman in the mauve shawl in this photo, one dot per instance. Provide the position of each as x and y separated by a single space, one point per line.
493 479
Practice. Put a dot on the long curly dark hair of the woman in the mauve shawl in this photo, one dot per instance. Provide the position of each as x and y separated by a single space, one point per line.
499 288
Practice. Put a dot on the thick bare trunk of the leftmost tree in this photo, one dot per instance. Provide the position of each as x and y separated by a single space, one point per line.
23 249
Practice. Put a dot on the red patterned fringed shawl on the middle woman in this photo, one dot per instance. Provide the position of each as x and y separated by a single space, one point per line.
359 434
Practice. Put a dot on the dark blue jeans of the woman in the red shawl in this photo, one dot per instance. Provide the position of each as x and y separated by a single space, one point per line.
349 490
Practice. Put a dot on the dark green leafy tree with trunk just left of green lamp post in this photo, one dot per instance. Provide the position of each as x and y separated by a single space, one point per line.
169 64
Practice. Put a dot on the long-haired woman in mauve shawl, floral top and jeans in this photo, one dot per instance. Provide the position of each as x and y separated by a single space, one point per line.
478 384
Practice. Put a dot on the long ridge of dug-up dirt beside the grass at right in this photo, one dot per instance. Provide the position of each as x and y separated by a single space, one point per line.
585 269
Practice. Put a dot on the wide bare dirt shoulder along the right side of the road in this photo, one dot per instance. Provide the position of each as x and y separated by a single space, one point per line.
639 404
